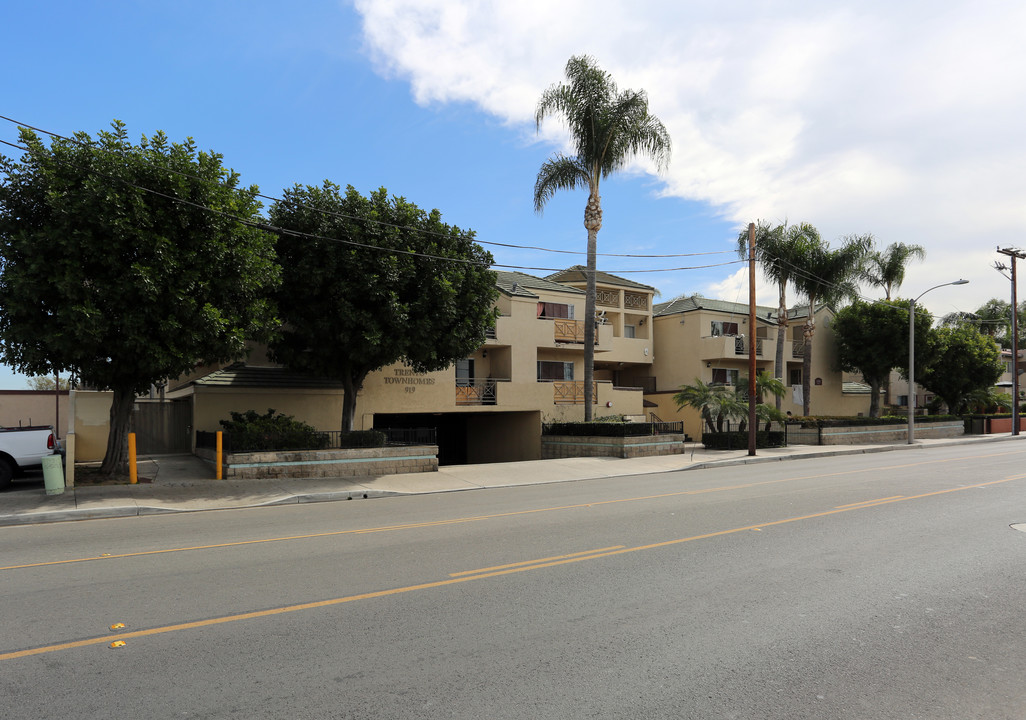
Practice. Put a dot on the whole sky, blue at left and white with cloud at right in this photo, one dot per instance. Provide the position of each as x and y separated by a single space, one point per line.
859 118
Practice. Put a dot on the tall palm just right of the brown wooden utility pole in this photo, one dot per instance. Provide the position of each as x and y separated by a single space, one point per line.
779 251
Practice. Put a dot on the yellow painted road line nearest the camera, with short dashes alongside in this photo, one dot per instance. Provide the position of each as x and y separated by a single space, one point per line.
470 576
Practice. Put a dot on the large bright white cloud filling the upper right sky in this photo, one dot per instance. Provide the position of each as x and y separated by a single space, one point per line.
900 119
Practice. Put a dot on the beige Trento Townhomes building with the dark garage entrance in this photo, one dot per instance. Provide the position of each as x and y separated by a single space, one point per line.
488 408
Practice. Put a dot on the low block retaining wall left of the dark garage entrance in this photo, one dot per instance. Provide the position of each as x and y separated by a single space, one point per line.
362 462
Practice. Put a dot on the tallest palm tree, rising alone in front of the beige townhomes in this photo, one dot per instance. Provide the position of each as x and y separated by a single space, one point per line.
609 129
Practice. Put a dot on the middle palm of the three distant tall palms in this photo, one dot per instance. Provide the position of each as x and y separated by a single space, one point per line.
827 276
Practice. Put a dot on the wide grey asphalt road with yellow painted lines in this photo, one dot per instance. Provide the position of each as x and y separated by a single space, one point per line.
882 586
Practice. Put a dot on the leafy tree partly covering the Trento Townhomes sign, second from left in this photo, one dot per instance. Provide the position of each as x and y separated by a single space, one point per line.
388 284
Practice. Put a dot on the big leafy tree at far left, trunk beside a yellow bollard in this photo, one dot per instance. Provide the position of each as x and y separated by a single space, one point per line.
128 264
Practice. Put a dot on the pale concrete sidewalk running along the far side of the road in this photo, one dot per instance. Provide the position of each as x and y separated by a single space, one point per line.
185 484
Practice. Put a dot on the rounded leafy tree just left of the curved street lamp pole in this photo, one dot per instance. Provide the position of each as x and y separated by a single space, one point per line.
873 340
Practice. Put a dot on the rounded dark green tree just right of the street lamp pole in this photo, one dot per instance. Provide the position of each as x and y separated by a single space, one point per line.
962 362
